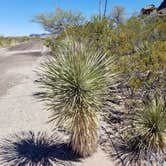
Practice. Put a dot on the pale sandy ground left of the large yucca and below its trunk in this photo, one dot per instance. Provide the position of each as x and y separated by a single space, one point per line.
19 110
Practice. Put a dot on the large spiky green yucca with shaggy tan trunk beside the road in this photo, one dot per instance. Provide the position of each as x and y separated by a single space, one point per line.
75 83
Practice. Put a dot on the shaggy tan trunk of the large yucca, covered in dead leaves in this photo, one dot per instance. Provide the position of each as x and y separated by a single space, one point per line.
84 134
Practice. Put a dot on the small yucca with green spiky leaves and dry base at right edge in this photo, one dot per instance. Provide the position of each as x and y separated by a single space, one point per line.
151 125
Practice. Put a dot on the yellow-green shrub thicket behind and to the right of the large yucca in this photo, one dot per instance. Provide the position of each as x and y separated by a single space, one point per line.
138 45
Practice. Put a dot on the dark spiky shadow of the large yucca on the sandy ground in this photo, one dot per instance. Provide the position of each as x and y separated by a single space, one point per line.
30 149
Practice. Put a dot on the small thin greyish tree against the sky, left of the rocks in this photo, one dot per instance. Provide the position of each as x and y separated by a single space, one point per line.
118 14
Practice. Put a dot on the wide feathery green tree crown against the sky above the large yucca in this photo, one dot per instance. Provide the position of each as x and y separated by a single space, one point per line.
58 20
